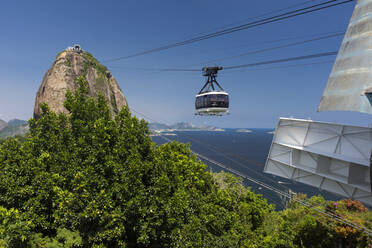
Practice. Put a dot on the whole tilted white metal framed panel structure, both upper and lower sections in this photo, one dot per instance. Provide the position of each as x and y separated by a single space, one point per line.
329 156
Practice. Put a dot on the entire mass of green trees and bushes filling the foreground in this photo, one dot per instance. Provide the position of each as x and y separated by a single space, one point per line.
88 179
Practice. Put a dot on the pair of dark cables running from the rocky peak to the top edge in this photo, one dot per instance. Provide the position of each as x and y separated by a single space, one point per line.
290 14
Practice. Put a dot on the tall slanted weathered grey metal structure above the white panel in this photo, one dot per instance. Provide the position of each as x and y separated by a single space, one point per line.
351 75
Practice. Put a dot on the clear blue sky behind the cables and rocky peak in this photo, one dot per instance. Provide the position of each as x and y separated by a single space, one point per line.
33 32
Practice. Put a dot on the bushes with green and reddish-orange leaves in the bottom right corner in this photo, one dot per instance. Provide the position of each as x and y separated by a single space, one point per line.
300 226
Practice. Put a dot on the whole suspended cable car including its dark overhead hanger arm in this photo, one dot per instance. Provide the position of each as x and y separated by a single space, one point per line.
211 101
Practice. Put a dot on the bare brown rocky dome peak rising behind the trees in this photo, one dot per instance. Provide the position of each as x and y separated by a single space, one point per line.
70 64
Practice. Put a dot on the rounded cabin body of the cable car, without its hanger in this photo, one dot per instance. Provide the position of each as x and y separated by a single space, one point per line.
212 103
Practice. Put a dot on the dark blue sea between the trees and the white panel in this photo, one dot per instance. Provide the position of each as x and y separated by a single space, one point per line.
244 152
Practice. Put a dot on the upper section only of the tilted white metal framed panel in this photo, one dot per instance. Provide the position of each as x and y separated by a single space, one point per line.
334 140
